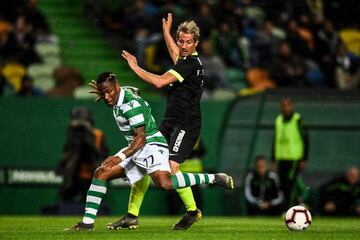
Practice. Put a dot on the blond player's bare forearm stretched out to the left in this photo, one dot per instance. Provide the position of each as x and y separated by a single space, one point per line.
158 81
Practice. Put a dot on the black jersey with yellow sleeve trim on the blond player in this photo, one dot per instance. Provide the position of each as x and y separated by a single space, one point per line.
183 103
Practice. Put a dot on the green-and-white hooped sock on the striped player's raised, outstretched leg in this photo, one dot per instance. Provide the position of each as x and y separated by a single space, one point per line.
182 180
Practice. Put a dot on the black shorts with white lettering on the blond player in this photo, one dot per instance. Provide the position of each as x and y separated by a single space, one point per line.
181 140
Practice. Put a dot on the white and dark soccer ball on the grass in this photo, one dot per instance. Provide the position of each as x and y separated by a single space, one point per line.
297 218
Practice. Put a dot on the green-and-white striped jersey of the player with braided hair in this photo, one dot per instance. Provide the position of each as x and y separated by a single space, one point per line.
132 111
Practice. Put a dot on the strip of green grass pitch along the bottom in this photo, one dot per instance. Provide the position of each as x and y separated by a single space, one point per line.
219 228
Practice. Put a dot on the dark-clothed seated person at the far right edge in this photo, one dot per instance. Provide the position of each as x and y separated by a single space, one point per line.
341 195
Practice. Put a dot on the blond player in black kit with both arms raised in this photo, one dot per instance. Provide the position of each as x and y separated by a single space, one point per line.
182 121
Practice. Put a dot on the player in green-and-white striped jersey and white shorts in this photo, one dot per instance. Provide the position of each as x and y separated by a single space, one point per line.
146 154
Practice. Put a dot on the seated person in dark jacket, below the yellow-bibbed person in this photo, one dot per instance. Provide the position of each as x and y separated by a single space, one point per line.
263 193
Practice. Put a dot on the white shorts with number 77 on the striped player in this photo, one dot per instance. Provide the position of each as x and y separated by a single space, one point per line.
152 157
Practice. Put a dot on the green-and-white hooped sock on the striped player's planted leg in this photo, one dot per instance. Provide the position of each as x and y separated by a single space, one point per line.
93 199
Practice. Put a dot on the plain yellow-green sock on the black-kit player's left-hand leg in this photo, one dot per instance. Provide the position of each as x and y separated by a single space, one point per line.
137 194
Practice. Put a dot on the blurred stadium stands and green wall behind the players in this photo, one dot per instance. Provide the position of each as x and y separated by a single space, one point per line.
68 43
